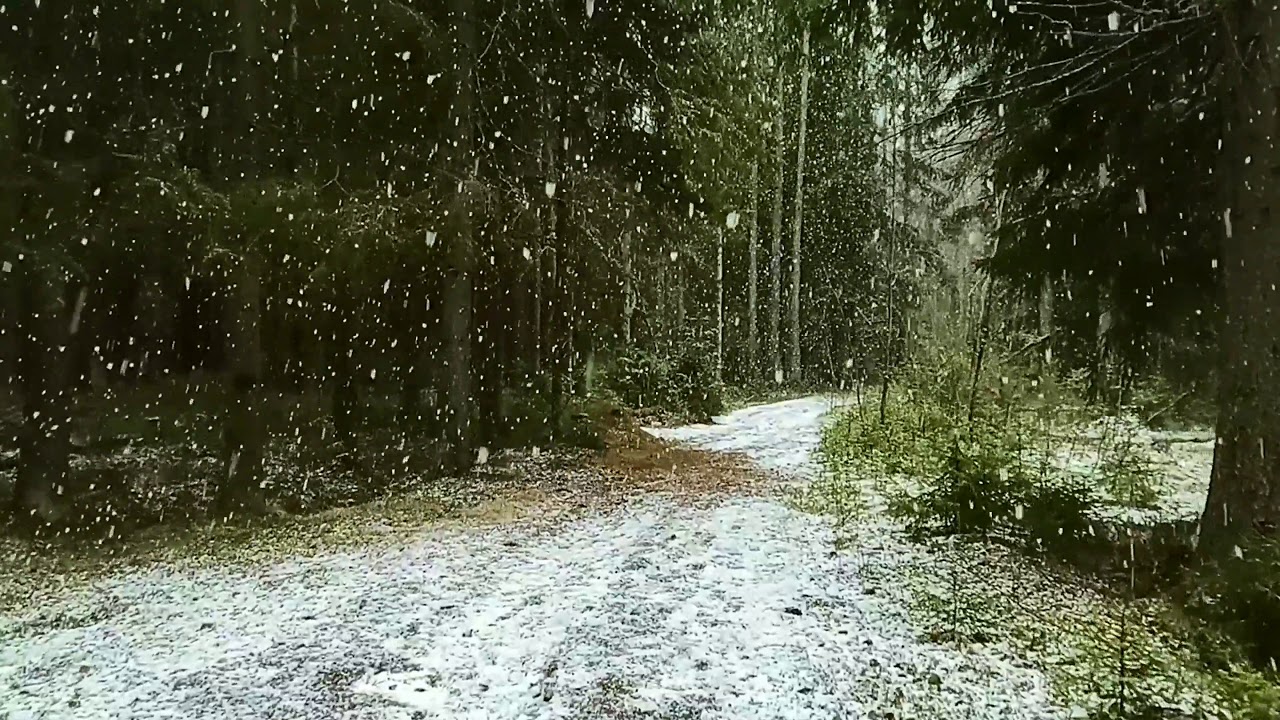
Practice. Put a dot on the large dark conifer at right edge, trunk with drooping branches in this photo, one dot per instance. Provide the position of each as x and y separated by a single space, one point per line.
1191 215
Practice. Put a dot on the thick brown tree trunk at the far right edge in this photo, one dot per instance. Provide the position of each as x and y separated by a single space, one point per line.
1245 487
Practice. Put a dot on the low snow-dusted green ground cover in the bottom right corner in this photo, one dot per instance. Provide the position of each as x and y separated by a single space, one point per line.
1105 657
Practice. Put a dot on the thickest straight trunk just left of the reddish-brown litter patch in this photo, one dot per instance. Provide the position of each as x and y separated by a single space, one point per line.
459 281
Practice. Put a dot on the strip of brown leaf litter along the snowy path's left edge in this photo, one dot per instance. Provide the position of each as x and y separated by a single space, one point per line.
528 486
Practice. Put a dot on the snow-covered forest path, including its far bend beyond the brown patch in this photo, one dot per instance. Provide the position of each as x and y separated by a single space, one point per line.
661 610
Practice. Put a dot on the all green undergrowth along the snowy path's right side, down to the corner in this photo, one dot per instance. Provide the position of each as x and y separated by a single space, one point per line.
1005 520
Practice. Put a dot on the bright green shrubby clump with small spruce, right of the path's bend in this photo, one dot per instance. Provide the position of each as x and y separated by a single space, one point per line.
1000 475
